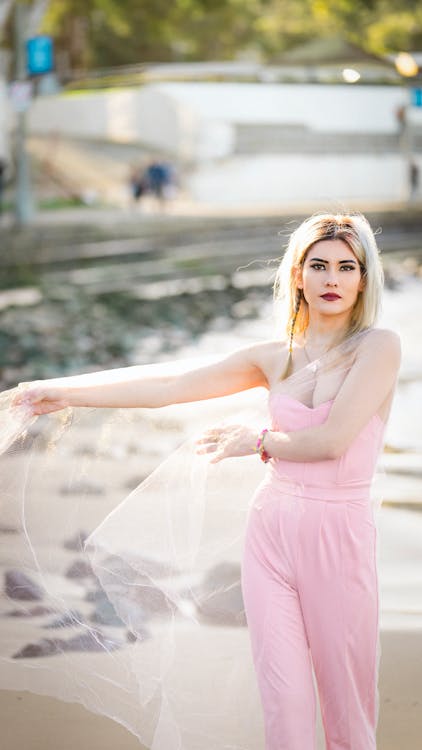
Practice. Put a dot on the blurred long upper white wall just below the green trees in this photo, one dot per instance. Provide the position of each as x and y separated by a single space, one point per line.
195 120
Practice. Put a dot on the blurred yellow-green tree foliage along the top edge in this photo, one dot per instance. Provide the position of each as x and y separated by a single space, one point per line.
104 33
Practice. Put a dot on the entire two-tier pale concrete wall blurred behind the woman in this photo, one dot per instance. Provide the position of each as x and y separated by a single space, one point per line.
199 123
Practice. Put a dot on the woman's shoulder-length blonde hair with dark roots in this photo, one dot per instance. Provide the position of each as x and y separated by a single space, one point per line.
355 230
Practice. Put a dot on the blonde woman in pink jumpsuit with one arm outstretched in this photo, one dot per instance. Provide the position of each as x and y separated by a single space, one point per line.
309 576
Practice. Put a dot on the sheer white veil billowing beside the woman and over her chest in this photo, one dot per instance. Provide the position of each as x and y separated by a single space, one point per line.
122 569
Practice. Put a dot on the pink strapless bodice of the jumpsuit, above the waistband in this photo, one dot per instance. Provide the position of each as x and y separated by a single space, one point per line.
353 471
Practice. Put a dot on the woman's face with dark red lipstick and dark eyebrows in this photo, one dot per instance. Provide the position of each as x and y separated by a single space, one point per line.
330 278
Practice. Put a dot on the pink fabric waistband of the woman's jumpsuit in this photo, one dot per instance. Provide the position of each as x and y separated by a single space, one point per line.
340 493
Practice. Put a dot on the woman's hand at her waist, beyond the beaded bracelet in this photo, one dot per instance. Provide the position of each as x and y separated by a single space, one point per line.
227 442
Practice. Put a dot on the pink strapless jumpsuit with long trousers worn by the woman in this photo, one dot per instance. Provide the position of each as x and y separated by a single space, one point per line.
310 587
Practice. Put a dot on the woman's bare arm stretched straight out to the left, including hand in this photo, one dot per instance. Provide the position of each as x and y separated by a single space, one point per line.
140 386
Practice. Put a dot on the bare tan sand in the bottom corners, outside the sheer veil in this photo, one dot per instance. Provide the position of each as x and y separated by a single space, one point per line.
38 722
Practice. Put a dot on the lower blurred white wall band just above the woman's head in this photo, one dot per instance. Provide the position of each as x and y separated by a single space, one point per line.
292 179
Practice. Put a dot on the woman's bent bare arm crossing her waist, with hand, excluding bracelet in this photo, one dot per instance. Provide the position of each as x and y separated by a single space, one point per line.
370 380
